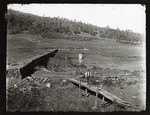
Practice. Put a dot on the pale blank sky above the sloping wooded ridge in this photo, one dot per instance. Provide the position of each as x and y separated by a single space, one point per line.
122 16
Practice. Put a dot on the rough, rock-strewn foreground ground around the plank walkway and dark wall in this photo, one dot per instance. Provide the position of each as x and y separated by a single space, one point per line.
63 96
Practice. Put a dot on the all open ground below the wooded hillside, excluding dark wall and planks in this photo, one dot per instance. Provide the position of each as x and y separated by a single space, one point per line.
112 67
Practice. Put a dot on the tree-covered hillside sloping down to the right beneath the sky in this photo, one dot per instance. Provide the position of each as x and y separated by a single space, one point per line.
62 28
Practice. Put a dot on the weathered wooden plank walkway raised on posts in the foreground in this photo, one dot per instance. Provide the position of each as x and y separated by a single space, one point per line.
103 93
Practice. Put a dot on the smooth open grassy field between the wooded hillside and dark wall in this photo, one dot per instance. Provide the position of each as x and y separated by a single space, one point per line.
104 53
